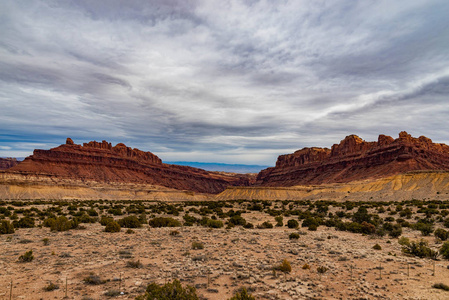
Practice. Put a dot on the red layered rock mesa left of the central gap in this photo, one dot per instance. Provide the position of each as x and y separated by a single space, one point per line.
100 161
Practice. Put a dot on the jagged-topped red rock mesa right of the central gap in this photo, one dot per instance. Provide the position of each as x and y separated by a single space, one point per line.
356 159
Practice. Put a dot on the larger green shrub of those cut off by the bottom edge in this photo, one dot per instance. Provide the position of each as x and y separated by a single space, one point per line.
169 291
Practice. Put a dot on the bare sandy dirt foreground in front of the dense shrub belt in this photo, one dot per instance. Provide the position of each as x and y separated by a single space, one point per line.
231 258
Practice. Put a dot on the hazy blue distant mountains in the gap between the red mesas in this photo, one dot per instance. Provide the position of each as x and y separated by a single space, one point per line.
231 168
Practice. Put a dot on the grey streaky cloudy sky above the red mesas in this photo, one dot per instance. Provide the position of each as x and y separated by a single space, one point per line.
221 81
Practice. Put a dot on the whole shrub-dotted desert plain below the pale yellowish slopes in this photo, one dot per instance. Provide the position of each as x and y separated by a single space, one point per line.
326 263
